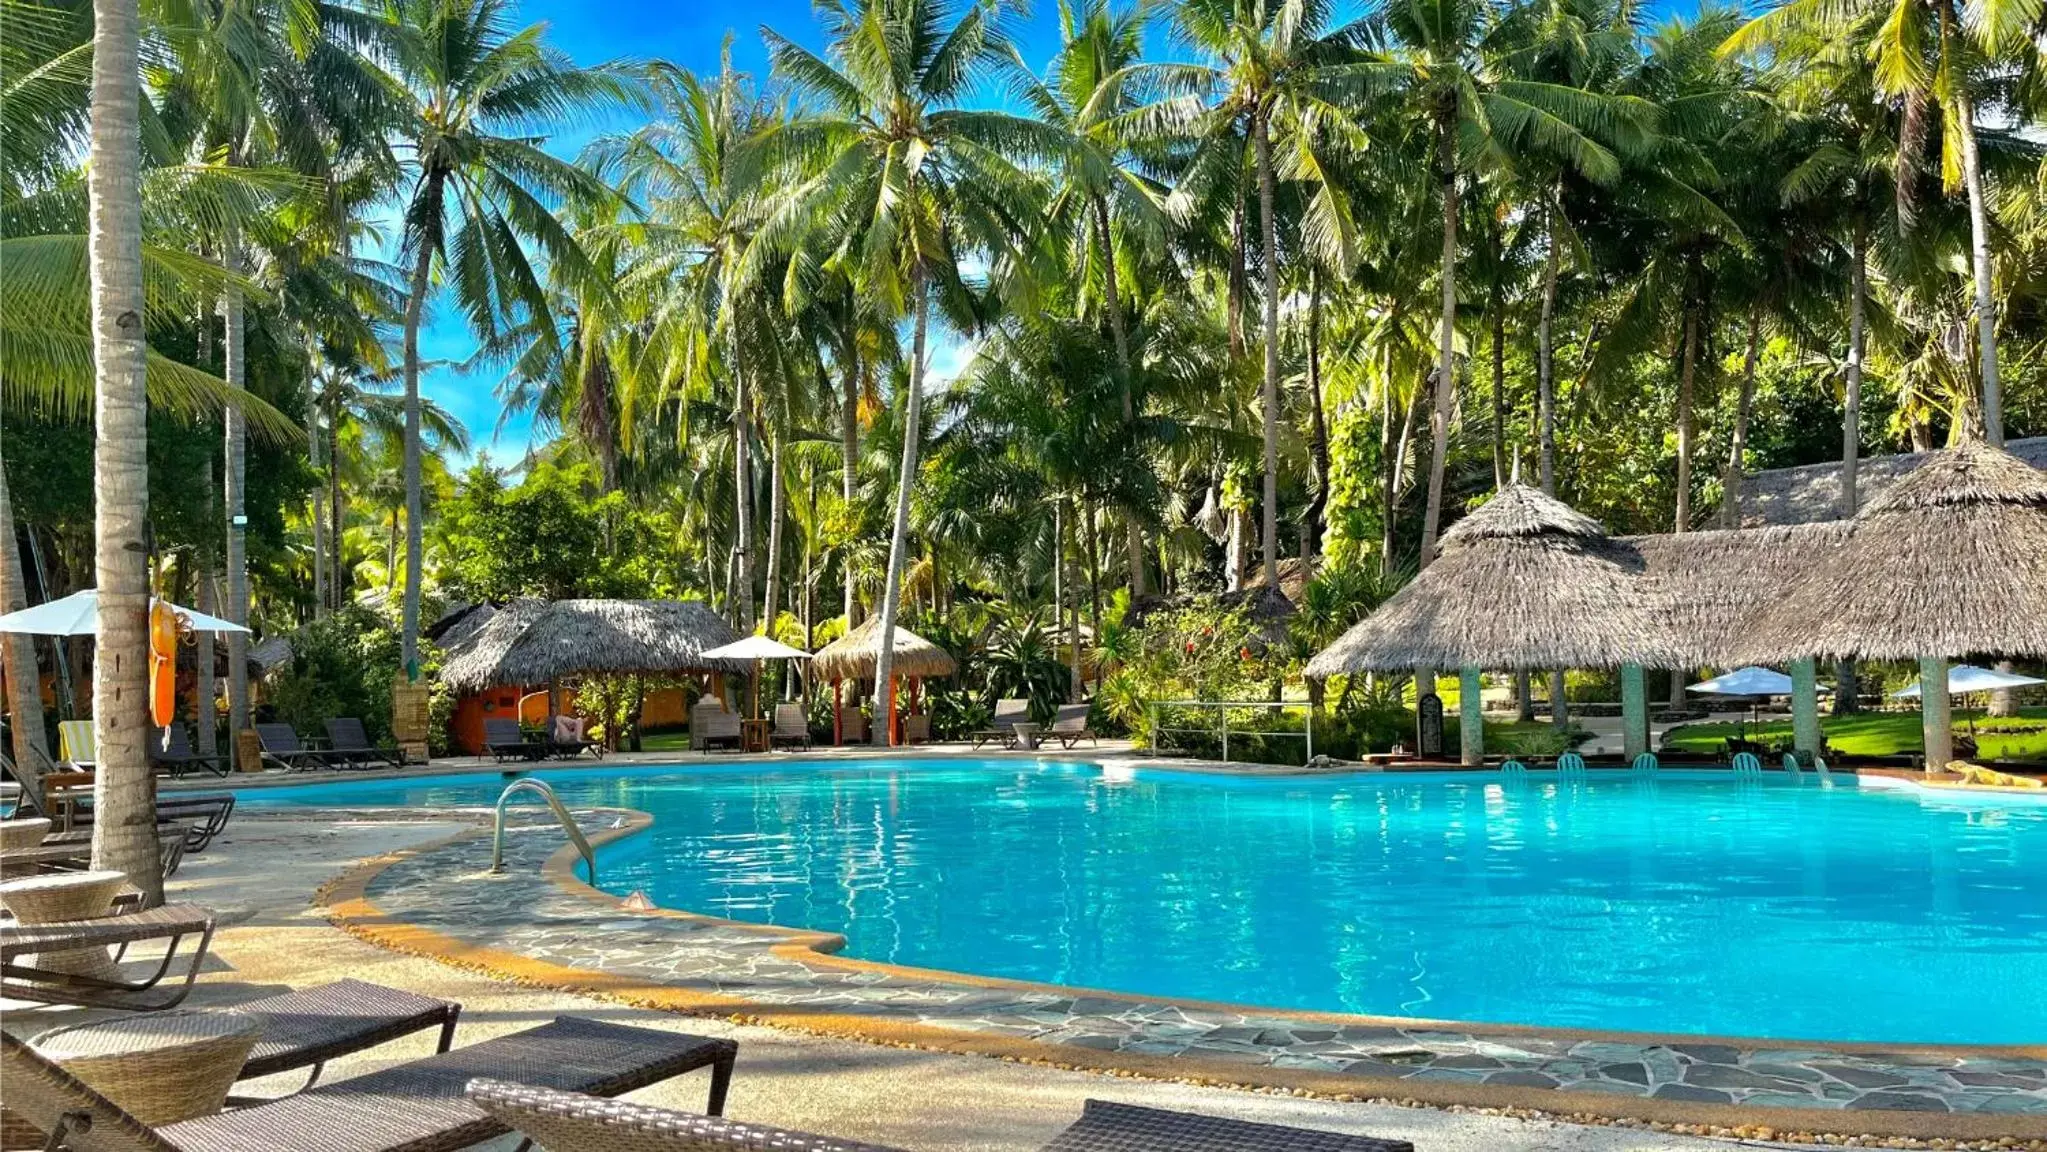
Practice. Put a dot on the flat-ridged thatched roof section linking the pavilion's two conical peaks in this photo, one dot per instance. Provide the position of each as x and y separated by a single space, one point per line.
1712 586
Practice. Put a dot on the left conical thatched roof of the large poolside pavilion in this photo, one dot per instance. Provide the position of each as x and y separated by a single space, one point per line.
1522 584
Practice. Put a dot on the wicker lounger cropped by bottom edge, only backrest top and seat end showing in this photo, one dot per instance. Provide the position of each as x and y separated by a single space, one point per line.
568 1122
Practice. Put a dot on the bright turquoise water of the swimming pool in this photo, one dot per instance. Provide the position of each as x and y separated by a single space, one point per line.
1682 903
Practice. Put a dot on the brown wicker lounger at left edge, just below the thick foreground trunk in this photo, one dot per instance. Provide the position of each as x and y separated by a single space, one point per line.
173 924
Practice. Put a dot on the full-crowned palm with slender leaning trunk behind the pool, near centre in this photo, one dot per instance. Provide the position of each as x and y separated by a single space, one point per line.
906 179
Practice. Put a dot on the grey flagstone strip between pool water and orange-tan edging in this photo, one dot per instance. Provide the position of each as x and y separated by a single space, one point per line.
525 914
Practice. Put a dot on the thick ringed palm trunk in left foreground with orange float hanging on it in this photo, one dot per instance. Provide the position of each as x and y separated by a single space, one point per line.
124 791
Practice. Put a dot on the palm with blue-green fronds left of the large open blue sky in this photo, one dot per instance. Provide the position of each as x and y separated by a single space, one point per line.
470 93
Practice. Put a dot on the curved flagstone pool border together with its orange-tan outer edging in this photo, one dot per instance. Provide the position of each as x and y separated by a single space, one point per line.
793 979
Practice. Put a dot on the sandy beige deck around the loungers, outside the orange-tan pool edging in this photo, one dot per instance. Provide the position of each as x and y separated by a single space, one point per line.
263 875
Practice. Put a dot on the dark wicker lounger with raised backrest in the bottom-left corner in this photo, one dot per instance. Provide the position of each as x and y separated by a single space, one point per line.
410 1108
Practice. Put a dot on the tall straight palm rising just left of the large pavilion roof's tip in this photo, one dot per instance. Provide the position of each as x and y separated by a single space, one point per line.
1278 71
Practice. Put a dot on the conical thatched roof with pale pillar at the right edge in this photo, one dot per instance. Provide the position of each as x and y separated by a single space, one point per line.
1948 564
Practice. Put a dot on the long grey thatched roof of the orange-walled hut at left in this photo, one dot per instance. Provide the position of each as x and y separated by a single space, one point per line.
543 641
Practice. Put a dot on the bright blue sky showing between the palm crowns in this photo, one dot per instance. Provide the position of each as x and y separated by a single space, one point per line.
689 34
